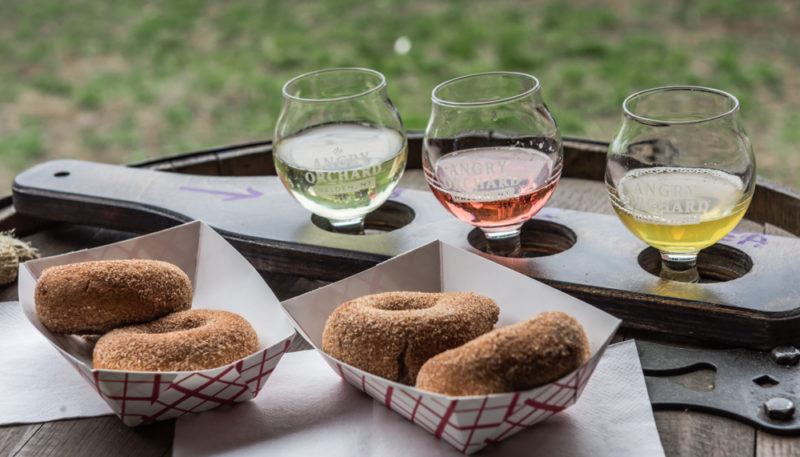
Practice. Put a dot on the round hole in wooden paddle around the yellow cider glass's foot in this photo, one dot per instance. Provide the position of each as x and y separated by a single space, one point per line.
717 263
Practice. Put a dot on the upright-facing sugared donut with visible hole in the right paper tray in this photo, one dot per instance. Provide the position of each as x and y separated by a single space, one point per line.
392 334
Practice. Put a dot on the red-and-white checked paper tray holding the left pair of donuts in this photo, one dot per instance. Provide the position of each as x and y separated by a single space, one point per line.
222 279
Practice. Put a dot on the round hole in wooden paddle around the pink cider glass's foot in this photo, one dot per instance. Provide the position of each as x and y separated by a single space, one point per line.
539 238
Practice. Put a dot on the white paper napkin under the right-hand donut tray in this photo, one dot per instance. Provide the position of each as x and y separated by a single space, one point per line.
308 410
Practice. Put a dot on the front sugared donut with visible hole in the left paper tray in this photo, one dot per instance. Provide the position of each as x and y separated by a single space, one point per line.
191 340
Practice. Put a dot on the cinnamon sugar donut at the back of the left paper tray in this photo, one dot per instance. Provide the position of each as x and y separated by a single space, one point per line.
95 297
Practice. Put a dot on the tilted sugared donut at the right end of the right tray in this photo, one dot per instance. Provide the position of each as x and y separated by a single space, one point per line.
512 358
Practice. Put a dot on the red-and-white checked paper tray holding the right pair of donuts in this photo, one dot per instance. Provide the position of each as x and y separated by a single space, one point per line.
468 423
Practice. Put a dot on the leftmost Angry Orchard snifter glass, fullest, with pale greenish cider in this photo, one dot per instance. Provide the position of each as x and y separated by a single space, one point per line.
339 146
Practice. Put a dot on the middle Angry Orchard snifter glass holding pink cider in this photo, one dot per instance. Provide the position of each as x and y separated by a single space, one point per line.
492 153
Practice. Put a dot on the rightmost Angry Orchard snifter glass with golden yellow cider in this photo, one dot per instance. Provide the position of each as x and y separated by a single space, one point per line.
680 172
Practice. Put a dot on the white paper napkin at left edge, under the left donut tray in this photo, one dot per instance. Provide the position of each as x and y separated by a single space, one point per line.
29 367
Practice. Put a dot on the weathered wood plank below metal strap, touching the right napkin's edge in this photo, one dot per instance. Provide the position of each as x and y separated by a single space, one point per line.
692 434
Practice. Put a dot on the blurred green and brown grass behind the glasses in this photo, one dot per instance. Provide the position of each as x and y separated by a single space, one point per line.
122 80
